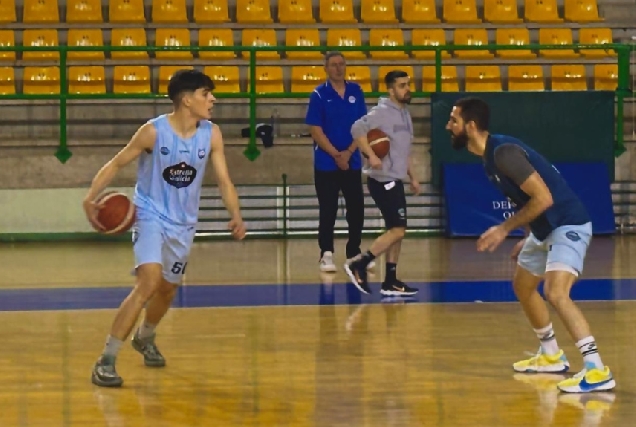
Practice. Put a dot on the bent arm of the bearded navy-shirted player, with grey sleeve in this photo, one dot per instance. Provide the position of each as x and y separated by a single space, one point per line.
512 161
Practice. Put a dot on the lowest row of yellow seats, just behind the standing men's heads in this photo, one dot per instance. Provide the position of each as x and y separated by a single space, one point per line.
137 79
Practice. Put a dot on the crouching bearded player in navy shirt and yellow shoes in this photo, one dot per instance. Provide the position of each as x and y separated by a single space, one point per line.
560 231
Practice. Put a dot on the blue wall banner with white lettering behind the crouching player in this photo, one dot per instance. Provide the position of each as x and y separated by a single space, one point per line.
474 204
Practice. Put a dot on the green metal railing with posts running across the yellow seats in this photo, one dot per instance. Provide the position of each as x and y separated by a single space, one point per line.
251 152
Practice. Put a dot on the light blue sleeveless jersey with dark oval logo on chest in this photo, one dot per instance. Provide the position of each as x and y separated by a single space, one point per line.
169 179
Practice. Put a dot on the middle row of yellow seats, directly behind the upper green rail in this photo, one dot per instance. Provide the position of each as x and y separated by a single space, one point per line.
215 37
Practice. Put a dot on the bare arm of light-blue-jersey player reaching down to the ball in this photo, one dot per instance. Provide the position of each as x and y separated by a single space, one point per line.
142 140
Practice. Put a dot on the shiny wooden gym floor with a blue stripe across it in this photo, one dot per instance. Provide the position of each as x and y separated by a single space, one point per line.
258 337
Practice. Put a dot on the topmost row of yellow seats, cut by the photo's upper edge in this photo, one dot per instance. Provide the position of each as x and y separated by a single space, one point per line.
301 12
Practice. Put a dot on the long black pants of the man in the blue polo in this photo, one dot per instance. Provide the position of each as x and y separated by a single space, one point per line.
328 186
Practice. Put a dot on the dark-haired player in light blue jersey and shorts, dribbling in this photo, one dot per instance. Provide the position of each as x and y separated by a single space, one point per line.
173 150
